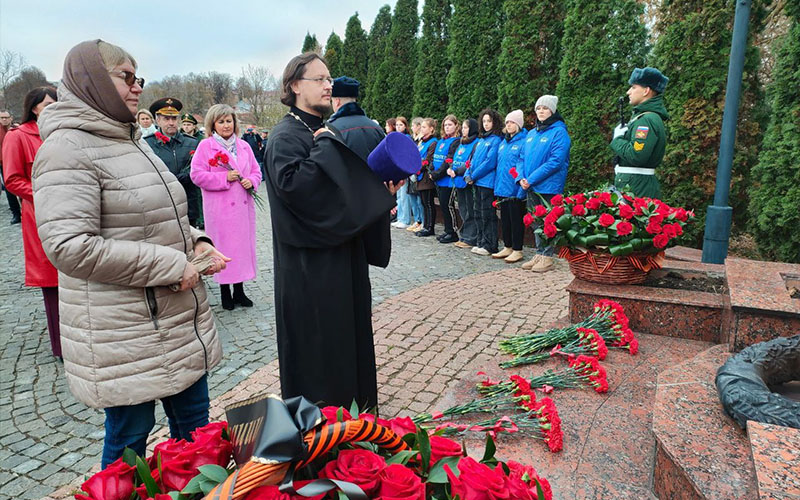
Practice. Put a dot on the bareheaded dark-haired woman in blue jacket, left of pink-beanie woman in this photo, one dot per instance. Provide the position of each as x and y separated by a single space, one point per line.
481 174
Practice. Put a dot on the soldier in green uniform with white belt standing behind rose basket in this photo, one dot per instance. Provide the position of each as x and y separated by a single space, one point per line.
640 144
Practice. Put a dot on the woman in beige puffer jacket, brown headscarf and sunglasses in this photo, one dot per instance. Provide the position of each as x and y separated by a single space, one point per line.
113 221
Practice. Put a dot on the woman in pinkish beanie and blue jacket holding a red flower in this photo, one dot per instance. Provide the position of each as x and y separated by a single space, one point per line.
511 196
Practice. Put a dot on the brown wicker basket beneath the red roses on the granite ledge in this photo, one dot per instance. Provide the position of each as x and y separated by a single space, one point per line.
600 267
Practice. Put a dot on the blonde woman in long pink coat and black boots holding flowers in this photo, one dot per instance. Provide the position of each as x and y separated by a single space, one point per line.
225 169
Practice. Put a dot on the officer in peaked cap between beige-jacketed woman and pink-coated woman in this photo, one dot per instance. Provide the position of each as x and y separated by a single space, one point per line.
175 149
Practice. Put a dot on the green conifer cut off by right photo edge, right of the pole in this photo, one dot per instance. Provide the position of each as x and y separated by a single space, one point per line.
775 201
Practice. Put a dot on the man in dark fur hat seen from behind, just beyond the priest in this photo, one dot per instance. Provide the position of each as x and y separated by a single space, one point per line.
359 132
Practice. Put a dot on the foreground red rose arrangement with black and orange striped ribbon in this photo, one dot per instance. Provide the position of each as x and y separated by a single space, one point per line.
304 452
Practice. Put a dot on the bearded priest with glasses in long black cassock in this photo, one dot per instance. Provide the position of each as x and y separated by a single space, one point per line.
330 221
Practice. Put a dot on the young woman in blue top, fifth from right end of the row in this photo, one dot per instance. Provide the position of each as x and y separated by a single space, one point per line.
445 189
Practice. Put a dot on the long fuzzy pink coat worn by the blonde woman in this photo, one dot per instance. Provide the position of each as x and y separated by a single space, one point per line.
228 209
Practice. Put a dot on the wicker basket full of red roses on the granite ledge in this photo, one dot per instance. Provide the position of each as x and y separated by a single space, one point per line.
609 236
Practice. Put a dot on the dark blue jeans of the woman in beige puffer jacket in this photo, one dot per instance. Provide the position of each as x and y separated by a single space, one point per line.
129 426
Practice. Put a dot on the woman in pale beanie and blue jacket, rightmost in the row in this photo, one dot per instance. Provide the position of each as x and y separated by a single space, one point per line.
543 168
